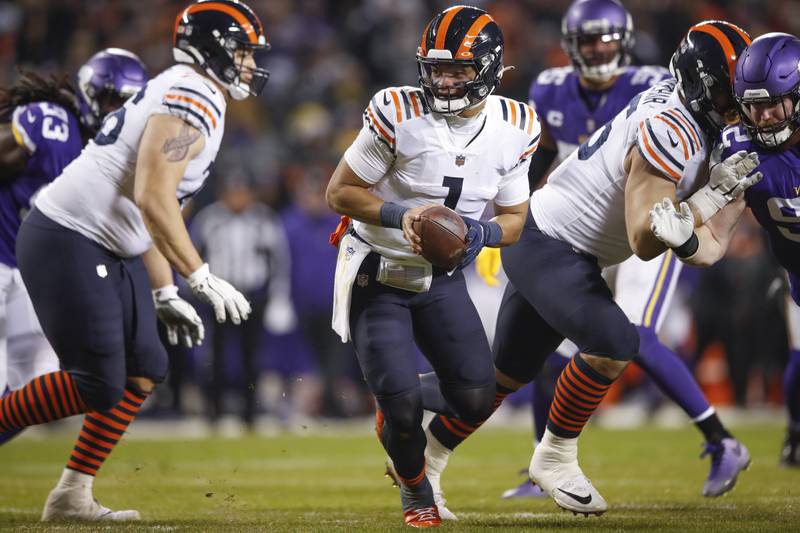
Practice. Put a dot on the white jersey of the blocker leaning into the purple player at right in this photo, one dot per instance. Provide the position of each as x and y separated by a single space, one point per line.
583 202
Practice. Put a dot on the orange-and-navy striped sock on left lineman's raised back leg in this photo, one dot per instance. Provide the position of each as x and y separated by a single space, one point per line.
44 399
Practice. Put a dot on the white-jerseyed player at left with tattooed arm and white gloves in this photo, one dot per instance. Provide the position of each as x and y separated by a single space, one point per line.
112 220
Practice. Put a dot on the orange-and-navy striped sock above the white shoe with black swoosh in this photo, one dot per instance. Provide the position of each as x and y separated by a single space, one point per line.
579 390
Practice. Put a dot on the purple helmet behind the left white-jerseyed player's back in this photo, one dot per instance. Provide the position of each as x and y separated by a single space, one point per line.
110 77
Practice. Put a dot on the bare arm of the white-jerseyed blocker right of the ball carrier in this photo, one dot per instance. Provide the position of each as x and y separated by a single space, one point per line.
645 186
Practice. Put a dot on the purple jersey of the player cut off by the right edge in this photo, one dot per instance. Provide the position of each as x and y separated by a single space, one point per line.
775 200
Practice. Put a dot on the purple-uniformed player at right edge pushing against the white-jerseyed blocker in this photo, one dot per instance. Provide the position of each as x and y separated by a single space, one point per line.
767 89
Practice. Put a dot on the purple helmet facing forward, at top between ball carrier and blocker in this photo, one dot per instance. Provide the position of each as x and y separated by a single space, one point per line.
607 20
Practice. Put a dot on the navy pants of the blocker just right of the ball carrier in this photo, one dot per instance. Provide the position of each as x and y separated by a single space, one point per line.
555 292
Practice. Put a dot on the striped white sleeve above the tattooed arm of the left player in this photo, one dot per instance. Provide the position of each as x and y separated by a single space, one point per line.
191 100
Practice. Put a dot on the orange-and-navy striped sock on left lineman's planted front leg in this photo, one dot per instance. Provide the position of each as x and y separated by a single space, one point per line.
101 432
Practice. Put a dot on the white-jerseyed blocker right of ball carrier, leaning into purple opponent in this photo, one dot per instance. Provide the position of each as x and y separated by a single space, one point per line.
593 213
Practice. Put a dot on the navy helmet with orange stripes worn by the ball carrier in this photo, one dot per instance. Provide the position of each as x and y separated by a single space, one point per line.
460 36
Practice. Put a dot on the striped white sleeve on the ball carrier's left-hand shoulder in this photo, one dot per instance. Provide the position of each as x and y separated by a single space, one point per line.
373 152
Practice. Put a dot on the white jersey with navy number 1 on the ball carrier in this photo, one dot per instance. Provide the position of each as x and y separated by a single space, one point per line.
415 157
